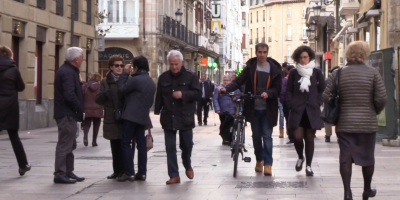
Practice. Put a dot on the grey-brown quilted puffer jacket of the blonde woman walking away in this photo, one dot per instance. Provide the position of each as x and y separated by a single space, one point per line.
361 98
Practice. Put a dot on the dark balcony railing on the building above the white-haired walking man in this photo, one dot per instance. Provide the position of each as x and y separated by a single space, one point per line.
177 30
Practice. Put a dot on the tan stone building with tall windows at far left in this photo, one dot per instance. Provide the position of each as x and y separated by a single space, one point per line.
39 32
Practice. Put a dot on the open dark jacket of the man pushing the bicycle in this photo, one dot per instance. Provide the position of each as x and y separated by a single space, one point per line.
273 90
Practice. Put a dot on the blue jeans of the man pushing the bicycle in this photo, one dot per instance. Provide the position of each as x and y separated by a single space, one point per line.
262 140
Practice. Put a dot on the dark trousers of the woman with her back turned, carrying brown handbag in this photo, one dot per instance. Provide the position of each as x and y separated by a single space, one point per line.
130 132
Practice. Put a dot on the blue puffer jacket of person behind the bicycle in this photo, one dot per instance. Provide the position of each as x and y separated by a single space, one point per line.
224 103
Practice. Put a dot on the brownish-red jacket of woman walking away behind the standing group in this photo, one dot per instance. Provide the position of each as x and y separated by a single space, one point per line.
91 108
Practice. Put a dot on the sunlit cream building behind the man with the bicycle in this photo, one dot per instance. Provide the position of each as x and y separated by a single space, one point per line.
279 23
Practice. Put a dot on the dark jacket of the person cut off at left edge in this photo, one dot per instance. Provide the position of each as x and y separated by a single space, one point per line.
10 84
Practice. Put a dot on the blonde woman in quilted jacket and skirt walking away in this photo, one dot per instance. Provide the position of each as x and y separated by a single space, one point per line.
361 100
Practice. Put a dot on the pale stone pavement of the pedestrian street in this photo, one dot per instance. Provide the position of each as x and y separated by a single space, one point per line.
212 165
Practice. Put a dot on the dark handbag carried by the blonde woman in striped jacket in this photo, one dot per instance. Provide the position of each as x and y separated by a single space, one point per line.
330 113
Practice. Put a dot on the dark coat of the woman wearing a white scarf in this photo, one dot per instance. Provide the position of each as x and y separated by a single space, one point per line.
299 101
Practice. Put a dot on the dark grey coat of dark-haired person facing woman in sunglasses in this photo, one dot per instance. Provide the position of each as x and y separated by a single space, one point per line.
139 91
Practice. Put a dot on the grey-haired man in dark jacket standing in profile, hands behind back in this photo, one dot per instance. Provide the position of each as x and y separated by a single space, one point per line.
68 110
